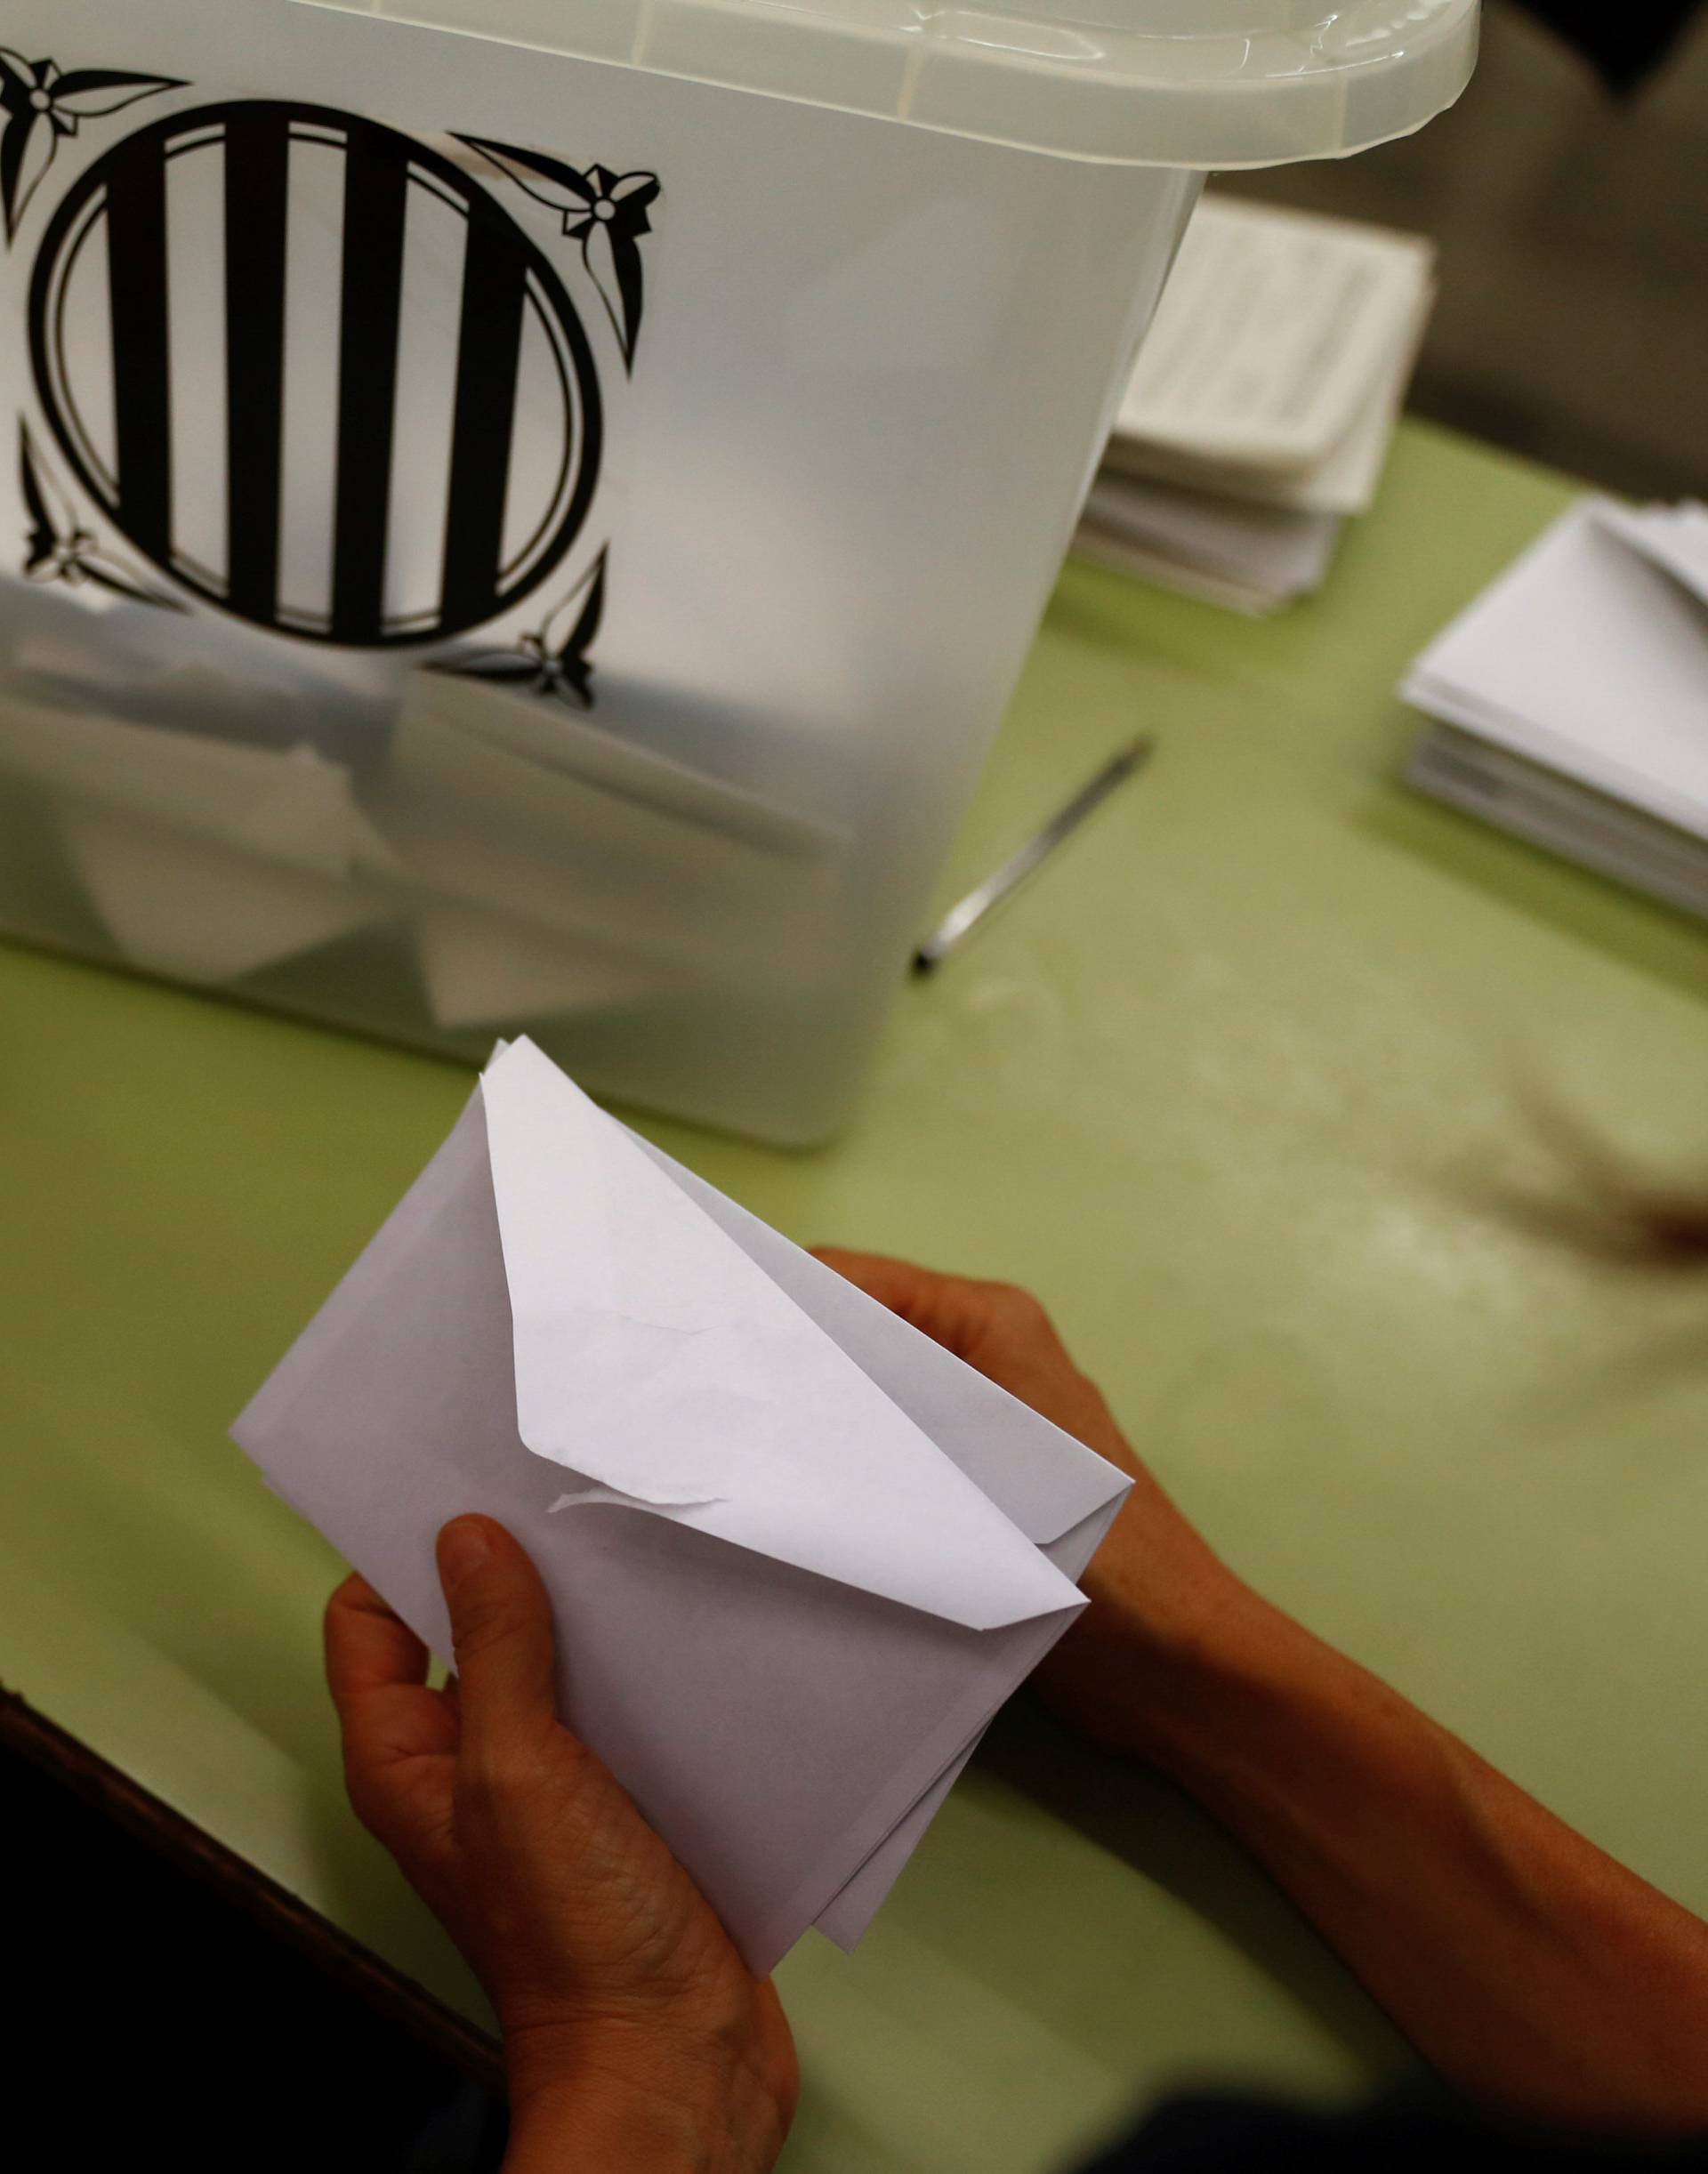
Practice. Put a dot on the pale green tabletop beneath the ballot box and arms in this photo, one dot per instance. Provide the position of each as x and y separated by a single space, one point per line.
1246 1088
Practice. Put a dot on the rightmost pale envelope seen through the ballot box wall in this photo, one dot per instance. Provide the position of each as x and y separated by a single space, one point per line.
560 869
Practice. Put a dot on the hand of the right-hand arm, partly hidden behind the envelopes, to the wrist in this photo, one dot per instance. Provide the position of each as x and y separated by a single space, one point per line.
1157 1592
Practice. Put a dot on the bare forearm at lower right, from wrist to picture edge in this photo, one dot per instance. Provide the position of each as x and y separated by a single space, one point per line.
1524 1964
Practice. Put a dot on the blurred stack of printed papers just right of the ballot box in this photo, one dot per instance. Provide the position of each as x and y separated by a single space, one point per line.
1264 403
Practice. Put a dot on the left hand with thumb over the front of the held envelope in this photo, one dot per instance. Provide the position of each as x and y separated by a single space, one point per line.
633 2032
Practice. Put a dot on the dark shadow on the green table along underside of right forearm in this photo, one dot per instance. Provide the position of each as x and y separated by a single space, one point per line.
1157 1832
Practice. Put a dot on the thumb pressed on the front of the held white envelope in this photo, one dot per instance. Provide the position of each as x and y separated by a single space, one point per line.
501 1625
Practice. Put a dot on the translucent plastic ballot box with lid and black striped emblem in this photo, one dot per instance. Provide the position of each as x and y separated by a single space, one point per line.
527 514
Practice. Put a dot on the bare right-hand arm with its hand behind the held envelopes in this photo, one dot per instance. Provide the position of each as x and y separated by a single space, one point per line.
1527 1966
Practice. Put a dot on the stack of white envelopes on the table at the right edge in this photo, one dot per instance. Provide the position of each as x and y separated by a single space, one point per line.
1572 699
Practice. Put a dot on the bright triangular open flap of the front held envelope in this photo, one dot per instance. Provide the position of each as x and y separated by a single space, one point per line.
666 1366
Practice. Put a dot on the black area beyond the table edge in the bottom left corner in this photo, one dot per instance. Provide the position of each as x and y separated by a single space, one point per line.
190 2016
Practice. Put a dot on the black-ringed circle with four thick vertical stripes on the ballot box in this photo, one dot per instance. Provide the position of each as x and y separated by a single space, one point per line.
316 373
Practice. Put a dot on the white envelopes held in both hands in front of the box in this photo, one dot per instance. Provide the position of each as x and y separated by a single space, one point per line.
799 1555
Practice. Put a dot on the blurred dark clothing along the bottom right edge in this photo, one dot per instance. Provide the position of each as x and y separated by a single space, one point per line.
1411 2132
